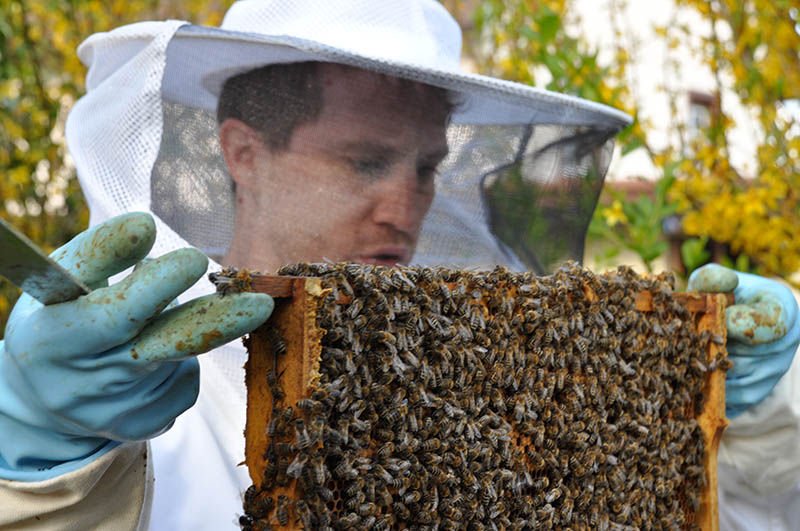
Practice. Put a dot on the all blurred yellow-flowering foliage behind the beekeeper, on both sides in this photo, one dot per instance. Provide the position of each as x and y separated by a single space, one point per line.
749 221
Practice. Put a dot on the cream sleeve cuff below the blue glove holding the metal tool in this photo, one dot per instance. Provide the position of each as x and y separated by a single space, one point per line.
114 492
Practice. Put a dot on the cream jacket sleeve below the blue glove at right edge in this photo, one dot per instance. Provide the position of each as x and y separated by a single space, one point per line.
760 450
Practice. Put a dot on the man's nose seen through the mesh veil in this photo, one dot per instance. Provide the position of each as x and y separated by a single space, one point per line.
402 203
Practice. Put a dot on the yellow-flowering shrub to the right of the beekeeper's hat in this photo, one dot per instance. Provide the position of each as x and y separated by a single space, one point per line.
752 48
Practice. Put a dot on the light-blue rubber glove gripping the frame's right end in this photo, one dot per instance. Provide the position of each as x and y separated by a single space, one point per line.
763 332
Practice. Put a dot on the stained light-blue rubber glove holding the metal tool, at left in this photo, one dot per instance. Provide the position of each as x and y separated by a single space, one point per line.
78 378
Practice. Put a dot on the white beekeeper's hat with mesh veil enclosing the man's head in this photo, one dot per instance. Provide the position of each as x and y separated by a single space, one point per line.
344 130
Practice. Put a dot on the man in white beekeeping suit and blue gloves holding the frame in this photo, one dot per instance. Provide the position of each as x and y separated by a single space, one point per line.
342 130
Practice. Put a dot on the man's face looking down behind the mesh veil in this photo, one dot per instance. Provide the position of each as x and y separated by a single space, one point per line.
354 184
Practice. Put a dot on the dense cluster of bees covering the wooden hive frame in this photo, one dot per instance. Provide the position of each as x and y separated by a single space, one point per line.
451 399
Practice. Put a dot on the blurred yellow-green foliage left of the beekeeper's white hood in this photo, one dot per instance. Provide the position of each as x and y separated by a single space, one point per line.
41 77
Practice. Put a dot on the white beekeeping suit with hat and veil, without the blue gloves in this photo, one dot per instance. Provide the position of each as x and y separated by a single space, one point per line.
144 138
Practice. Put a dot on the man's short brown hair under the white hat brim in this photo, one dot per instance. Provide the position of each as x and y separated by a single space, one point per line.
277 98
